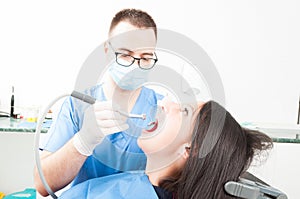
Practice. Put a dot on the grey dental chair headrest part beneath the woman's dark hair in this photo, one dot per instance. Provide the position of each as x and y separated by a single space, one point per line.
251 187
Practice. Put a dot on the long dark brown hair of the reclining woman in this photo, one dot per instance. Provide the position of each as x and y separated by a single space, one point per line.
221 151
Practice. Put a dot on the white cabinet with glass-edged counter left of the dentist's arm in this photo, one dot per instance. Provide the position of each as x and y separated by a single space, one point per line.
17 154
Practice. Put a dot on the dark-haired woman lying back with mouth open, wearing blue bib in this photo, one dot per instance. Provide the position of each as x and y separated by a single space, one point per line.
191 154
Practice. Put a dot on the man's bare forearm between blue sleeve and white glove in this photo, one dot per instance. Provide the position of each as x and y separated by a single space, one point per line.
59 168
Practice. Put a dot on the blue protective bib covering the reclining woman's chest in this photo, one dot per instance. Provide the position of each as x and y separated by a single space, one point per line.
122 185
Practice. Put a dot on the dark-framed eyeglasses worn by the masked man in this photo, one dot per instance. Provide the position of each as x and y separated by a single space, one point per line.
126 60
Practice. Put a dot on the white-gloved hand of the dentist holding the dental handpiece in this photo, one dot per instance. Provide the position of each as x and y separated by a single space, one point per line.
99 120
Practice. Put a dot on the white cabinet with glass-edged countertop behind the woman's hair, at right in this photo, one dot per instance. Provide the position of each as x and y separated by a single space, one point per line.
281 168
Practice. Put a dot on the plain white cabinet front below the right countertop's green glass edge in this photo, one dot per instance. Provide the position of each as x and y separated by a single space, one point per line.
280 169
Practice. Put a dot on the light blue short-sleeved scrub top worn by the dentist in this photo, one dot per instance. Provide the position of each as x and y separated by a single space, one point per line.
118 152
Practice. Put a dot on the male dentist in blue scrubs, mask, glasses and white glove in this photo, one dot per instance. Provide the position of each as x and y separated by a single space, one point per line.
77 149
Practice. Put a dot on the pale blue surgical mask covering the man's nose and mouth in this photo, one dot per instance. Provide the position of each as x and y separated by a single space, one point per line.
128 78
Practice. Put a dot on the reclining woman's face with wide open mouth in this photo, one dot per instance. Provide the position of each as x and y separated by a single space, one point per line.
172 129
